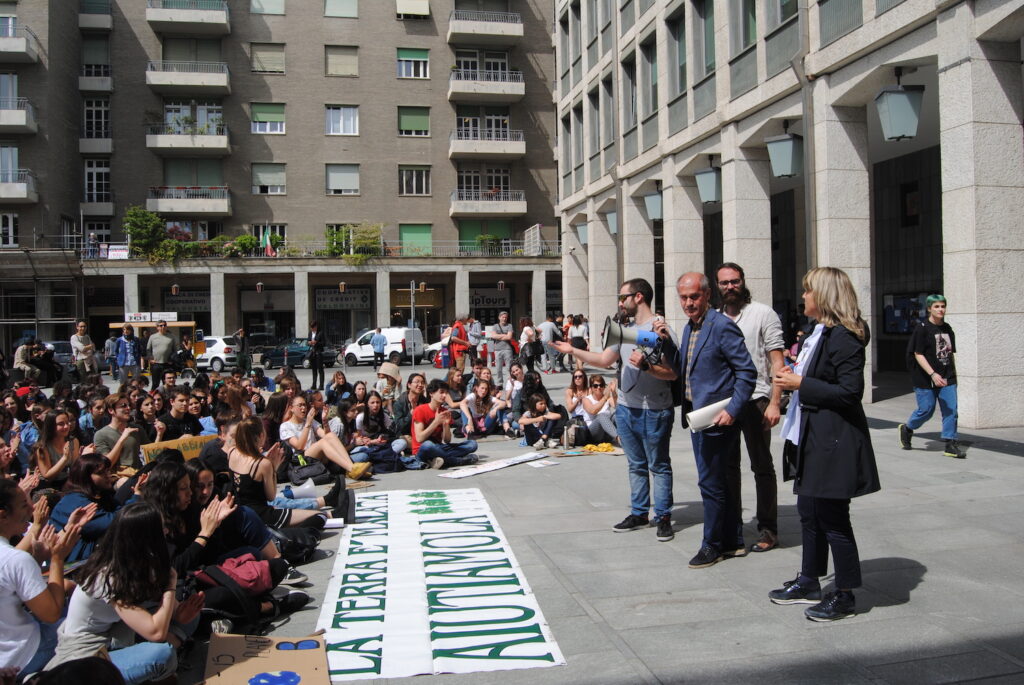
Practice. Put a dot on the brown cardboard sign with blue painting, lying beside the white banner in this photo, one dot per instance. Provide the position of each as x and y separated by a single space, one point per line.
254 660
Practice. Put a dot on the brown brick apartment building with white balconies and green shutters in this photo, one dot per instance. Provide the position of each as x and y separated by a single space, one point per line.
428 123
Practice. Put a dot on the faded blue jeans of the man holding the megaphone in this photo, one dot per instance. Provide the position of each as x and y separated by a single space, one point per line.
646 435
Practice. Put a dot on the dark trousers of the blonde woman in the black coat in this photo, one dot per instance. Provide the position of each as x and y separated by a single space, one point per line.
827 527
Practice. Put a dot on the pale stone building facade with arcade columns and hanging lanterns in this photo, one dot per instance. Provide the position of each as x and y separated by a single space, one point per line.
698 132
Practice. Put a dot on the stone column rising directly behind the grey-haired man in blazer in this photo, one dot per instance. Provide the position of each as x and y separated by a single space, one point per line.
684 241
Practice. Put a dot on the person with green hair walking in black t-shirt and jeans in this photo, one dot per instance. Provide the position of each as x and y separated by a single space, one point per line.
934 374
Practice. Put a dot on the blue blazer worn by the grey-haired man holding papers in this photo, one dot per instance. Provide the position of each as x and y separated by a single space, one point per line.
721 366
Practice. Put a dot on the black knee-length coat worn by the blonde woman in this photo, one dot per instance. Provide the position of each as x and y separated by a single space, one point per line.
835 458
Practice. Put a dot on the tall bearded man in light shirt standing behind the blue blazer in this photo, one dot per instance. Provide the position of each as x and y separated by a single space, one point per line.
763 334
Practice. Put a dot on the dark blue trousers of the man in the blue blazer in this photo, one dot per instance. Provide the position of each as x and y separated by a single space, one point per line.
723 530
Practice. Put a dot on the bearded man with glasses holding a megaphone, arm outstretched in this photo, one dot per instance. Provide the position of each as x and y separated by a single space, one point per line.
645 413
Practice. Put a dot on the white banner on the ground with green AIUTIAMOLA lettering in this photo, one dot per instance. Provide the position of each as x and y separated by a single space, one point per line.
425 583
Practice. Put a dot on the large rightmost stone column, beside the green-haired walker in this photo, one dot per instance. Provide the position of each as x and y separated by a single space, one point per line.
980 112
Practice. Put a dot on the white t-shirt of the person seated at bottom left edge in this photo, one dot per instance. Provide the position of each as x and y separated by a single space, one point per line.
21 581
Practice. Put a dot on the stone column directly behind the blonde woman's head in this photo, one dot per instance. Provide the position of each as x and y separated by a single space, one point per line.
843 229
